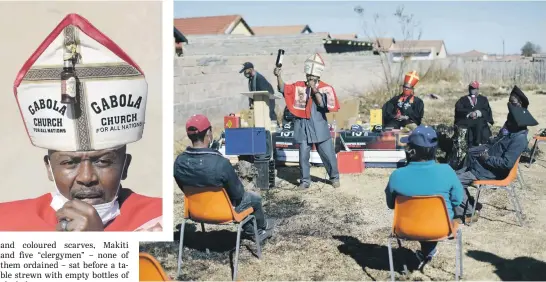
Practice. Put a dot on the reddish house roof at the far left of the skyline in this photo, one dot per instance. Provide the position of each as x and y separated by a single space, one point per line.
209 25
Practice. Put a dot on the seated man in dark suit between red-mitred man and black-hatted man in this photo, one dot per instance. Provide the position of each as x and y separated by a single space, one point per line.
474 113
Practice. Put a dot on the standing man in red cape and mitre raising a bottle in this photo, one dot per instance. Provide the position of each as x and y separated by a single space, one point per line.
309 101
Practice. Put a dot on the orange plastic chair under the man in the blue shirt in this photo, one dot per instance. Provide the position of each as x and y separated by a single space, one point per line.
424 218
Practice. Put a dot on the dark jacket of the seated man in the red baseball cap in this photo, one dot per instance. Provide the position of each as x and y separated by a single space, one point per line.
207 168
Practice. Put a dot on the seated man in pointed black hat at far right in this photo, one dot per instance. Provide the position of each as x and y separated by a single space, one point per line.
495 159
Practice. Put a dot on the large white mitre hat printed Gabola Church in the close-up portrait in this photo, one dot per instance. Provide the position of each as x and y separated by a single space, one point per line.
110 91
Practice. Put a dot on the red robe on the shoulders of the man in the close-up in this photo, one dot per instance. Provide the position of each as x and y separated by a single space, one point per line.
37 214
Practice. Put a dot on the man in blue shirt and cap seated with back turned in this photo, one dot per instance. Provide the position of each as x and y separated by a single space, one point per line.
424 177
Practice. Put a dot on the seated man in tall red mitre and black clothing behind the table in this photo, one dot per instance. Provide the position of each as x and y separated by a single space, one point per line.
405 108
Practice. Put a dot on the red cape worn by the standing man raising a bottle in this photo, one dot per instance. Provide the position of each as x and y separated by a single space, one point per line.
300 105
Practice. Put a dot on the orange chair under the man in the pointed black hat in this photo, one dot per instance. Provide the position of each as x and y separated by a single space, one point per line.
505 184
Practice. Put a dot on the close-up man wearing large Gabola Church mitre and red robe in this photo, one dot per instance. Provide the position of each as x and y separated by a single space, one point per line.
83 100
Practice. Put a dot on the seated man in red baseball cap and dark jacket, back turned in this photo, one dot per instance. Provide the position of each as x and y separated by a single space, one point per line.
201 166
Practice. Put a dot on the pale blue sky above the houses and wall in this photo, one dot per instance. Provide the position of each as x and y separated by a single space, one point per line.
462 25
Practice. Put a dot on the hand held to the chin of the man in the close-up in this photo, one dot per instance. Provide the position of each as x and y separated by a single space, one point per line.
81 216
